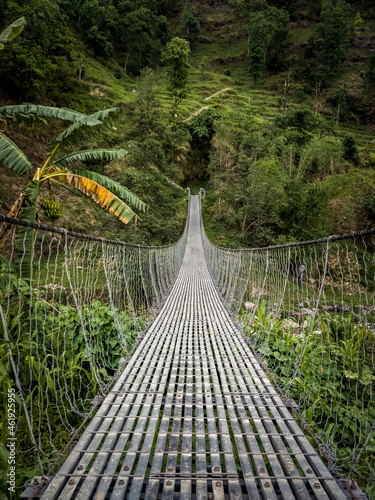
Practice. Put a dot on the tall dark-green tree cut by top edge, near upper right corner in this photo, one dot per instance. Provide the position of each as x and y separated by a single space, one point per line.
334 30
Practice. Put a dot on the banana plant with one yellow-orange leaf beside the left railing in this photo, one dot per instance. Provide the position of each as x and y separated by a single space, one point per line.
60 168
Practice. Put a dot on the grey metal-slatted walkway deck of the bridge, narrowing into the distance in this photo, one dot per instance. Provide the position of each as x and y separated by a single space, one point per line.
193 415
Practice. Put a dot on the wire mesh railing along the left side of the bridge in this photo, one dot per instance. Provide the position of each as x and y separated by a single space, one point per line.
72 307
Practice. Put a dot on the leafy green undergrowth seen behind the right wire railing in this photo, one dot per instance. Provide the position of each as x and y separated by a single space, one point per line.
333 359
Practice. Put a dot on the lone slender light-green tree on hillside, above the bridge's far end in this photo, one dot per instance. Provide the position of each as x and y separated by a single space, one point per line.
176 59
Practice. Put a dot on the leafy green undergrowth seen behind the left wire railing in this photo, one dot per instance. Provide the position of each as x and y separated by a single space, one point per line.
57 371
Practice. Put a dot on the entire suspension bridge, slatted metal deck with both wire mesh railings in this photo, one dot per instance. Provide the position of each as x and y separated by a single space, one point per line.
193 413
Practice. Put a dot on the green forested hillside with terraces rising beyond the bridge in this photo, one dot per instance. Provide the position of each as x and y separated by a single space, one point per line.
268 105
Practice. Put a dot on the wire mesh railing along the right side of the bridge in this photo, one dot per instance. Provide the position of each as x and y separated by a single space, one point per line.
308 310
